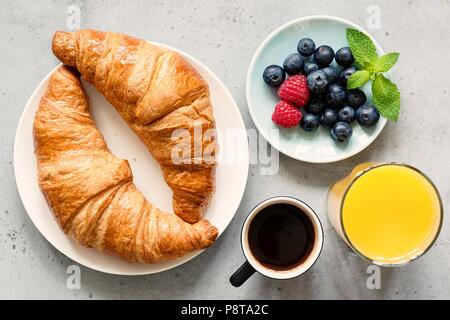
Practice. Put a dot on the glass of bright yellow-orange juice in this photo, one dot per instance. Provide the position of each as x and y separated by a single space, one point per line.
388 213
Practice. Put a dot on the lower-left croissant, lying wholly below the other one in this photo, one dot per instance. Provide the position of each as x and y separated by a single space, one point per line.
91 192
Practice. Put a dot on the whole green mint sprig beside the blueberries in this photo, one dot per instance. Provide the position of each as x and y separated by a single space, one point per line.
386 95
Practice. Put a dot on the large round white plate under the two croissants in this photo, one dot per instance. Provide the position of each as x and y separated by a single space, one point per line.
231 175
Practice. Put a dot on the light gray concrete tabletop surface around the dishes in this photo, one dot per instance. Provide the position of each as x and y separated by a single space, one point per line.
224 35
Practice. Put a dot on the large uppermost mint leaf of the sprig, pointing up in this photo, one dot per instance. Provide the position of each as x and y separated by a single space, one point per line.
362 48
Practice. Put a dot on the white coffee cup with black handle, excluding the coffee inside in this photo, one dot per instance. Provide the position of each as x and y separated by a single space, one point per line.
253 264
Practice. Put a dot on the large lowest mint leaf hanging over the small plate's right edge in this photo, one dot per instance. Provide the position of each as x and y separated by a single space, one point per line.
386 97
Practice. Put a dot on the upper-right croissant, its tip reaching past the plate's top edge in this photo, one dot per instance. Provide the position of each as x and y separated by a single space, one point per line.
156 92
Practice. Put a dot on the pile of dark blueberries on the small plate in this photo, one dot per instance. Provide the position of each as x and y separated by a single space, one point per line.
331 104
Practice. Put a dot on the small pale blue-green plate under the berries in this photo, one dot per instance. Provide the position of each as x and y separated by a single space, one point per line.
315 147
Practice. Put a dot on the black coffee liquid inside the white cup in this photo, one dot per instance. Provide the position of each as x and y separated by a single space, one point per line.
281 236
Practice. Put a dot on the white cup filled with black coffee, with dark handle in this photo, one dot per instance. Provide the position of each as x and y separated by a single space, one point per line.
281 238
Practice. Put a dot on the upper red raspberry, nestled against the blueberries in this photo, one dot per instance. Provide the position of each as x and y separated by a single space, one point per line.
294 89
